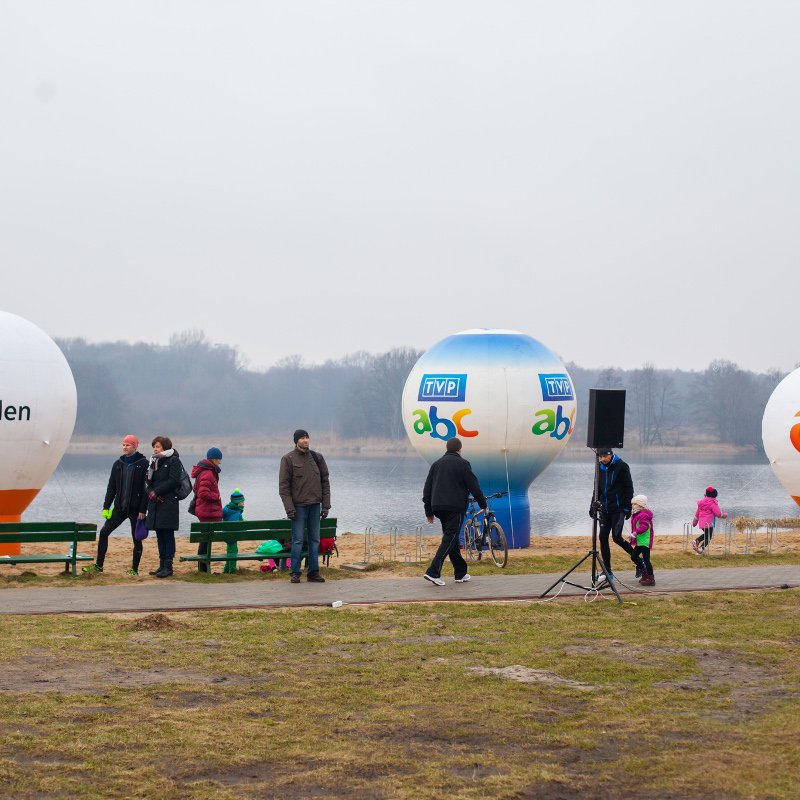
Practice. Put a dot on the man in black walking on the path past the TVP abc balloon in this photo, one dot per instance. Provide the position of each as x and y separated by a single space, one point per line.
450 482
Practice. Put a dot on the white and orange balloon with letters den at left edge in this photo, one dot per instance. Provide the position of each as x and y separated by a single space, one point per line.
38 403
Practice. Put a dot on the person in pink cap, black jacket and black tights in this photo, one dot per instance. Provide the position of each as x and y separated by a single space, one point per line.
126 491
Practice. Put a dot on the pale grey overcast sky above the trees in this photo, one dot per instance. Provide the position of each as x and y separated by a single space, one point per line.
620 180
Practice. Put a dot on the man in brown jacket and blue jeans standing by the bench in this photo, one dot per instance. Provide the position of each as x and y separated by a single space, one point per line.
305 490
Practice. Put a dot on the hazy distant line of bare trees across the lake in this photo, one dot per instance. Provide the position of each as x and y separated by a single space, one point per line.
192 386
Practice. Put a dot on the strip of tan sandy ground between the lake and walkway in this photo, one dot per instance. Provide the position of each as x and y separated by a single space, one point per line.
354 547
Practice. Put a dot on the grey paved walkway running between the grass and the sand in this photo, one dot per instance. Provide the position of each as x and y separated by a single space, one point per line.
183 596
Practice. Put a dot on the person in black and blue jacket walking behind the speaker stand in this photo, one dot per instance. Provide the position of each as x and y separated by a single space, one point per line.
613 504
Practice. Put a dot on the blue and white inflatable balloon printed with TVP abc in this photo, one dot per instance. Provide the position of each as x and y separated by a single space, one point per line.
511 402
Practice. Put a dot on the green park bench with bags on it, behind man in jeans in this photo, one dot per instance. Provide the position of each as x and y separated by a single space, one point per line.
255 531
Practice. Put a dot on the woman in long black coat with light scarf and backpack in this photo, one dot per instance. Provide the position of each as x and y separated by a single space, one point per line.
163 480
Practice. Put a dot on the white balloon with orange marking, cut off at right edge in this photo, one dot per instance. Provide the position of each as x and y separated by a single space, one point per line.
780 432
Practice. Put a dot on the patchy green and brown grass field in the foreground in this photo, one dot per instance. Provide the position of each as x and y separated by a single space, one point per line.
690 696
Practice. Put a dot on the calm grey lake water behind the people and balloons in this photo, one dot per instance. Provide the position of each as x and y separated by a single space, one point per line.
387 492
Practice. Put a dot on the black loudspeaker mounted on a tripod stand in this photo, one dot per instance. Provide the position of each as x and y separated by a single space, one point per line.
606 431
